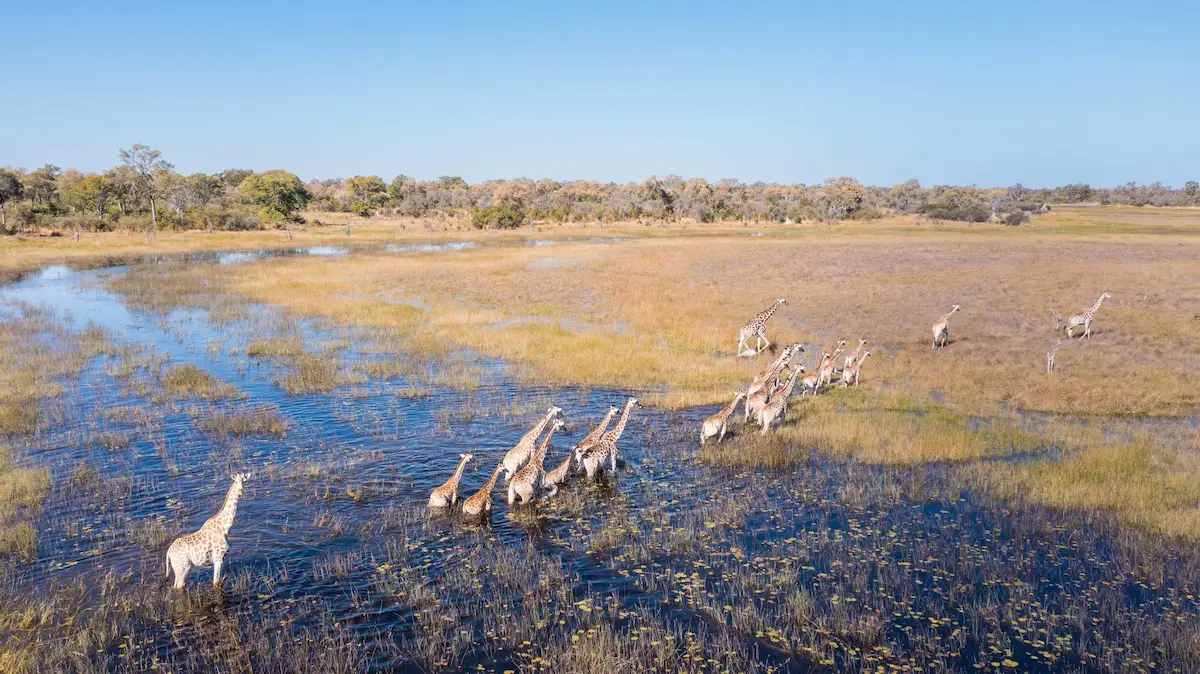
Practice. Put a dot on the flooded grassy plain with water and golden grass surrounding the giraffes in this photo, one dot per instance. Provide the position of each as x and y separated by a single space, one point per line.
958 511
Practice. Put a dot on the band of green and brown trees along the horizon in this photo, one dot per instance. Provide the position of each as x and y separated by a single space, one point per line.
145 192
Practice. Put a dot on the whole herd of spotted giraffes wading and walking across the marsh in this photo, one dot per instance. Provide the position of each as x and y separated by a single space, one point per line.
766 401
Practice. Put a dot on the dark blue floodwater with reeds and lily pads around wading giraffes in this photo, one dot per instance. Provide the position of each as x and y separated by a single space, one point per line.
898 570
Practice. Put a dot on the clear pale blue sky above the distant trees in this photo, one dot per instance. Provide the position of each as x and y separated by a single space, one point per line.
949 93
